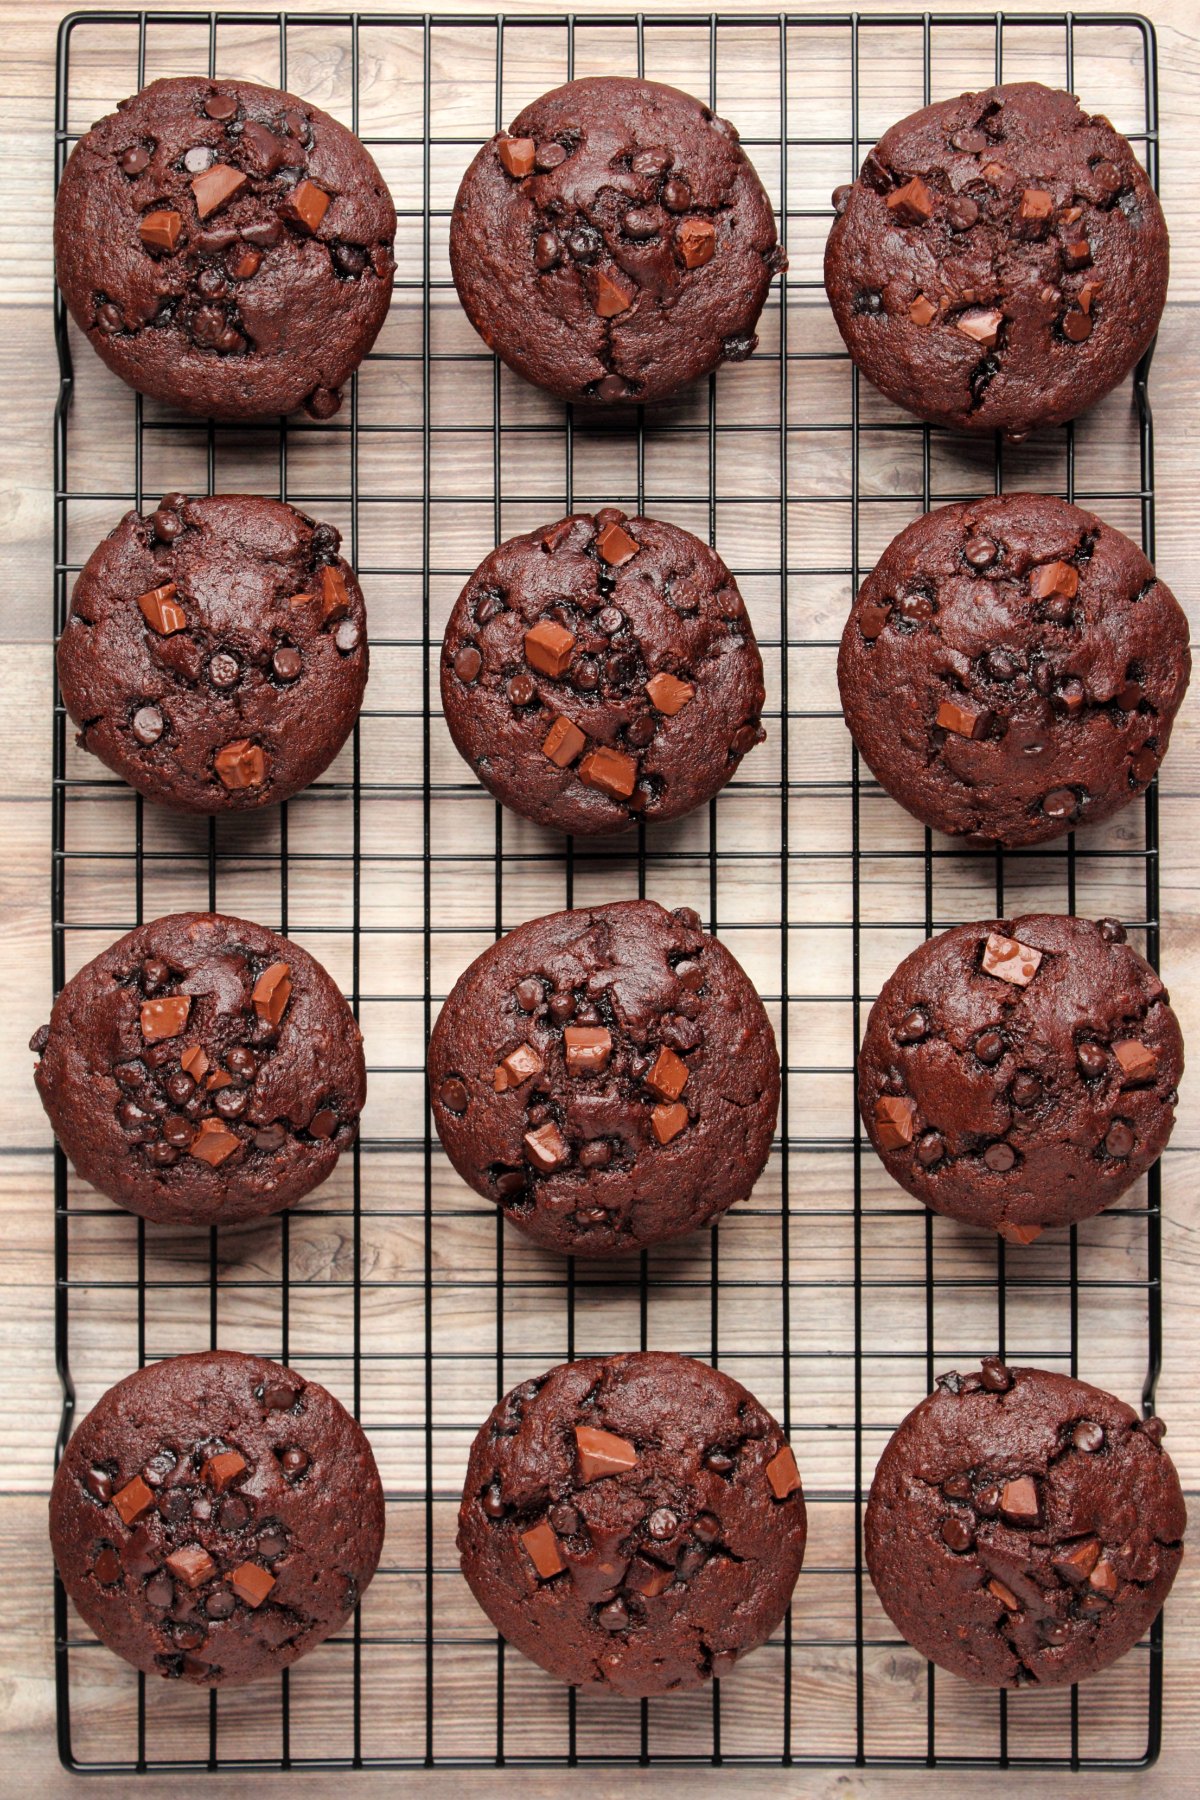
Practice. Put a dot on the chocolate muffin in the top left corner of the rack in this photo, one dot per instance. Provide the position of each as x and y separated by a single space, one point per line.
226 247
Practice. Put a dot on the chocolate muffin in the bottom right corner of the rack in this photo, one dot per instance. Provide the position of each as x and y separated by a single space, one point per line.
1025 1529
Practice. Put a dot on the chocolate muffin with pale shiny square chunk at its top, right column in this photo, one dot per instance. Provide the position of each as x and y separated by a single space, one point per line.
1021 1074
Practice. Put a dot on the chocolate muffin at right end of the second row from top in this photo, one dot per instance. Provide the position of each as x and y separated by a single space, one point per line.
1012 670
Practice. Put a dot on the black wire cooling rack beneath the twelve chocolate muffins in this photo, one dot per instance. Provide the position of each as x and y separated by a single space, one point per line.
830 1295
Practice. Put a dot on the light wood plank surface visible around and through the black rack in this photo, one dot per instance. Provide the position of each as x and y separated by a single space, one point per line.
537 1324
